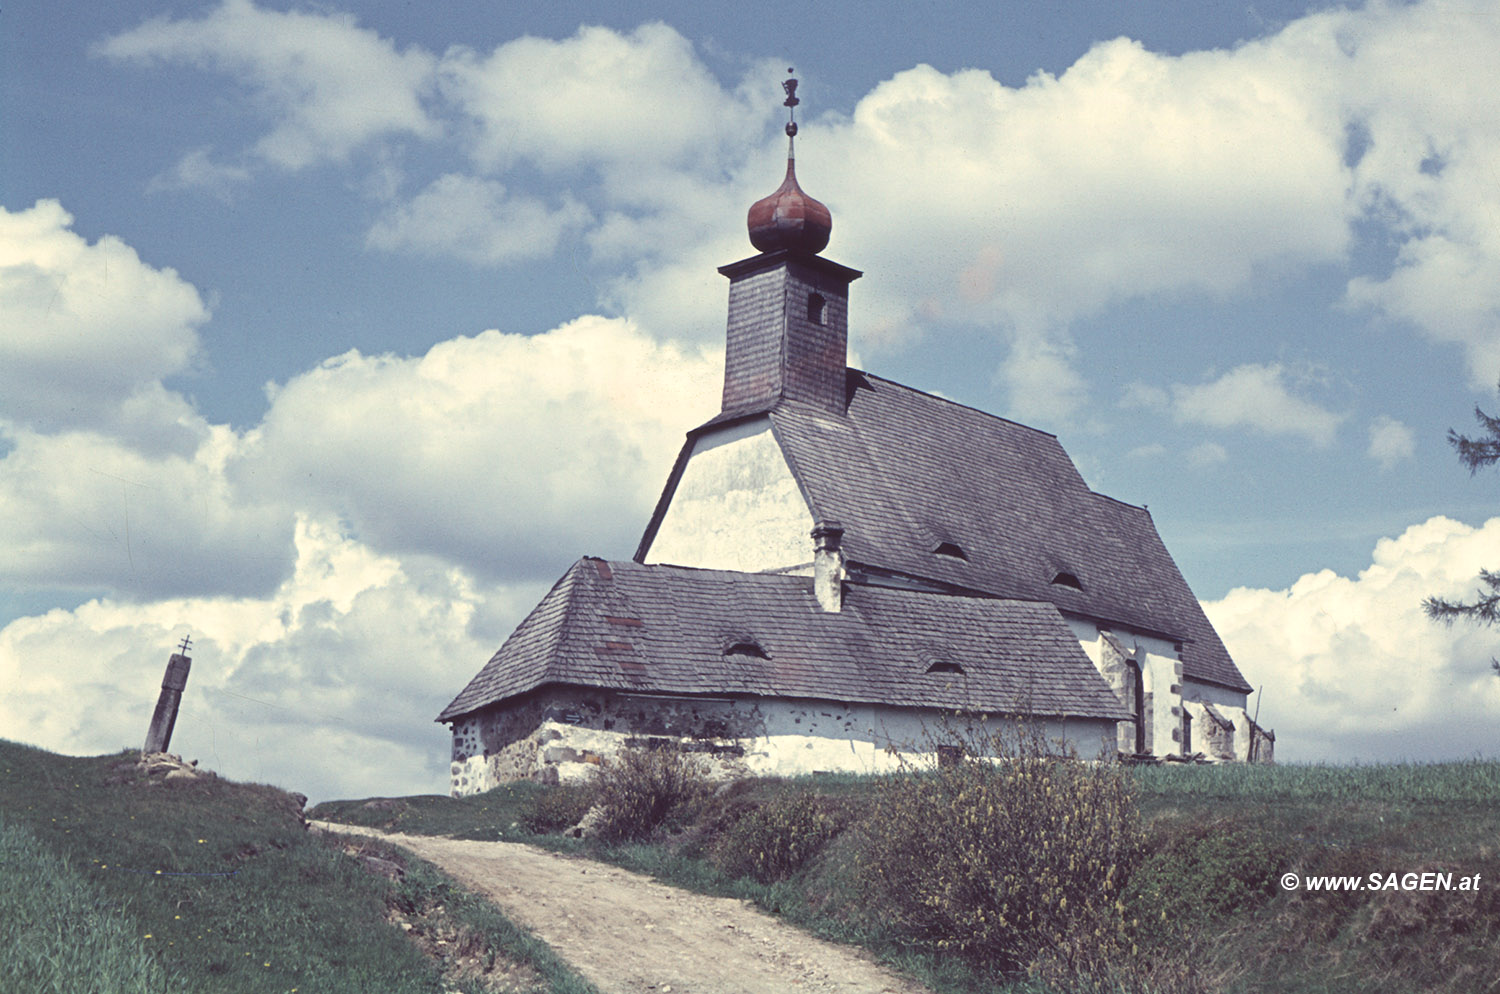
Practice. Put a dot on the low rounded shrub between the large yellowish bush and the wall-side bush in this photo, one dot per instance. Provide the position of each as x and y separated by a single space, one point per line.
773 842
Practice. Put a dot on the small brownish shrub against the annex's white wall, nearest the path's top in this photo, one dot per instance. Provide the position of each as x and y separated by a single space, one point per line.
640 789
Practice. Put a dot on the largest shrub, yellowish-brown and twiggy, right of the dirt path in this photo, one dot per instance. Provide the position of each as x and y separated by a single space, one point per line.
1006 863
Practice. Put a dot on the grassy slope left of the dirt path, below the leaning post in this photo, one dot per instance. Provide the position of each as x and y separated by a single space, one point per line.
223 888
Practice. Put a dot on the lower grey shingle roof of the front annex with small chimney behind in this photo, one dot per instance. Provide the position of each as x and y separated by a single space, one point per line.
659 629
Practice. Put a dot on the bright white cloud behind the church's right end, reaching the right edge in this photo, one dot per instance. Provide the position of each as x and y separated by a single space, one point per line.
1352 666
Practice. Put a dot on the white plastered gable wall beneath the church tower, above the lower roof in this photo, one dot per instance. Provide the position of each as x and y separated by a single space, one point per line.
737 507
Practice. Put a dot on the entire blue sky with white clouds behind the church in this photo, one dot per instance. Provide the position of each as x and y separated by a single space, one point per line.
334 334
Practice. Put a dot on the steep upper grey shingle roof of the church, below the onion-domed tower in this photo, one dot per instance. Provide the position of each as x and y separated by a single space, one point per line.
916 479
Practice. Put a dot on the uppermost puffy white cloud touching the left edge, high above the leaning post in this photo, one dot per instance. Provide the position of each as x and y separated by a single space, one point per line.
89 329
